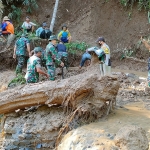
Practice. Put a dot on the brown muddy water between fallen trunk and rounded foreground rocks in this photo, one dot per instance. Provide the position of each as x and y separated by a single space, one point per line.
131 114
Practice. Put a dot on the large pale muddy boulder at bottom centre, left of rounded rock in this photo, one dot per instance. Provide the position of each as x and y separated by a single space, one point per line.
75 140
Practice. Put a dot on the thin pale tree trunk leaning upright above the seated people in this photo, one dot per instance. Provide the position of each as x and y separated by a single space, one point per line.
54 15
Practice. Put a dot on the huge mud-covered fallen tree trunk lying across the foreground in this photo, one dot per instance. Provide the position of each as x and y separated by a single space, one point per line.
70 92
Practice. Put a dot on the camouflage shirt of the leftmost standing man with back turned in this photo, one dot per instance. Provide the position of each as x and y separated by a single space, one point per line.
21 45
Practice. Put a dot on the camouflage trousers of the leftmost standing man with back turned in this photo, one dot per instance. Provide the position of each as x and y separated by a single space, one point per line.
21 62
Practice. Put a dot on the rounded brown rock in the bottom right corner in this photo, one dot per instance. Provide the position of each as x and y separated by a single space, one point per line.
132 138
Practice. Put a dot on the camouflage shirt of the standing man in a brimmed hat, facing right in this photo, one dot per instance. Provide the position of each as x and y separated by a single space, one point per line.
52 55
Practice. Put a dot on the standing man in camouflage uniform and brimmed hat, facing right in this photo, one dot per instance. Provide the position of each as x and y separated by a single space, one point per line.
52 58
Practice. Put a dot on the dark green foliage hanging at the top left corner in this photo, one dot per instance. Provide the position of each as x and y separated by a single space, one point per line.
15 9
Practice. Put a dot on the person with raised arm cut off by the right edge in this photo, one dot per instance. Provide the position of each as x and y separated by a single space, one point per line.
148 47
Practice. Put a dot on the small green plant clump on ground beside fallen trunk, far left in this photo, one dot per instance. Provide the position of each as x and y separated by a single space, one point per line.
19 80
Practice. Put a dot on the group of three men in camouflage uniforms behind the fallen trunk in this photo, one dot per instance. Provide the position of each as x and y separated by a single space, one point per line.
34 62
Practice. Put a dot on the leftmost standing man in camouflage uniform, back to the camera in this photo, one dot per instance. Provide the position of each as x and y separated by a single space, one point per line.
20 52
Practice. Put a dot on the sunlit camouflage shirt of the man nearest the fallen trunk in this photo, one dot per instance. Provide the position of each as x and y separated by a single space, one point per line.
32 76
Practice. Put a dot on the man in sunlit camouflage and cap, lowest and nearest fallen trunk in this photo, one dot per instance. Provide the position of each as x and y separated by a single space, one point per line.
34 67
